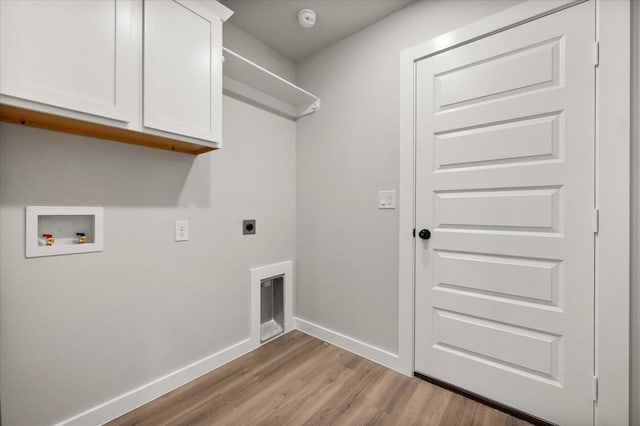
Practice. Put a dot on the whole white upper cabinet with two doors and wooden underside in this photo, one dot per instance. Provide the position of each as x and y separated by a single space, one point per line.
146 72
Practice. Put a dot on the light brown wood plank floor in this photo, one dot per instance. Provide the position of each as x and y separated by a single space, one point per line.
300 380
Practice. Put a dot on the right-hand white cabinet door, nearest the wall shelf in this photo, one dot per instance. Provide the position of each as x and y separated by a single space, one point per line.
182 69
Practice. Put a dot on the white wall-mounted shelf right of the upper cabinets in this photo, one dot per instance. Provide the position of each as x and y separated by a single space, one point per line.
249 82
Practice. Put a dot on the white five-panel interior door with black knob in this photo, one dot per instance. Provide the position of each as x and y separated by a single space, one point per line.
505 183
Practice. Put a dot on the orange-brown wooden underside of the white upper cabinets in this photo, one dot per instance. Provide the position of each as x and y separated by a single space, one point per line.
43 120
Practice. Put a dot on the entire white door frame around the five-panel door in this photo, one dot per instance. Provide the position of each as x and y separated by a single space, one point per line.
612 274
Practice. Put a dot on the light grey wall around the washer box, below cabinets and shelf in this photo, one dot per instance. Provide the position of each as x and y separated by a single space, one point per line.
79 330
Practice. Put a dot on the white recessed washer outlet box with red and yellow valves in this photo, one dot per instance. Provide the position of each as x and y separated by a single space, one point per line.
71 229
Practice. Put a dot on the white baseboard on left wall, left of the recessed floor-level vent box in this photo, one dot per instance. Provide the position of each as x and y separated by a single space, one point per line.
126 402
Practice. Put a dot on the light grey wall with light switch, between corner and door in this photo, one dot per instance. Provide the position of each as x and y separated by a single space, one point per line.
347 249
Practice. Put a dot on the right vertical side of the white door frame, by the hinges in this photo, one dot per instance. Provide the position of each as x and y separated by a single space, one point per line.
613 158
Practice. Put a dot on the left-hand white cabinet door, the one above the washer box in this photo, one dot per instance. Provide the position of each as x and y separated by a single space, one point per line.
78 55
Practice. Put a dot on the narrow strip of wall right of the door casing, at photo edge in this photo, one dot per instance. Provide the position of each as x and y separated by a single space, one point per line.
635 210
